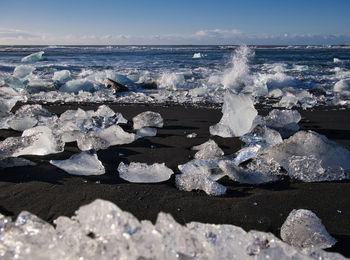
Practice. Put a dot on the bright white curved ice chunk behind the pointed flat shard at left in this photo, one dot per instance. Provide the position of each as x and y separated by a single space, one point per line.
44 142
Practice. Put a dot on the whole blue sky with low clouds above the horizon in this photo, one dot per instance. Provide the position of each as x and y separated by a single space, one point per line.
174 22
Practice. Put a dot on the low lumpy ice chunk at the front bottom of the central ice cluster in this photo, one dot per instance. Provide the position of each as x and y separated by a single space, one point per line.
199 181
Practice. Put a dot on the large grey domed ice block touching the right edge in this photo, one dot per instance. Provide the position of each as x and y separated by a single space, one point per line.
309 156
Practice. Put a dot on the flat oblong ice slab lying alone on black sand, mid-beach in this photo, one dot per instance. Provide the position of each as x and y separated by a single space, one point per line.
143 173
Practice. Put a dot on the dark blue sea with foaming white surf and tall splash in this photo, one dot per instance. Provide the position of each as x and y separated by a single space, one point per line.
183 73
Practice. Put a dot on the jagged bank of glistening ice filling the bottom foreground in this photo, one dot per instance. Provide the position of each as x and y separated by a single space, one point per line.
101 230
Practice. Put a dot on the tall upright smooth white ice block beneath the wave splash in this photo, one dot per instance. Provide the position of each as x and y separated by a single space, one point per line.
238 116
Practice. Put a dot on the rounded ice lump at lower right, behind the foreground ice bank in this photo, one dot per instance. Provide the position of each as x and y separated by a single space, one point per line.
303 229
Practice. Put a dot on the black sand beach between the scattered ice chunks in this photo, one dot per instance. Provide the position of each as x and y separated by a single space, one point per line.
49 192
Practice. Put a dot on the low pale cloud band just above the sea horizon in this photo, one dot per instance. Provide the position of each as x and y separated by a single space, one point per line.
205 36
